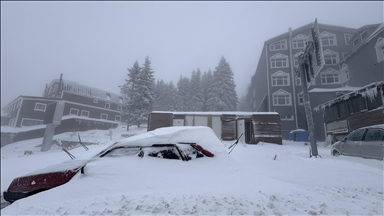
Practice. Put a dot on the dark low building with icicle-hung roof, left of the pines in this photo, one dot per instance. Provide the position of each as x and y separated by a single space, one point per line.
85 108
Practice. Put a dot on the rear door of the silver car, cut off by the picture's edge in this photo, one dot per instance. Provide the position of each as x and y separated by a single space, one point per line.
372 145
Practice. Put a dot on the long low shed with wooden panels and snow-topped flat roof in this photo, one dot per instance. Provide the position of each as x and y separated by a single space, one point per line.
255 126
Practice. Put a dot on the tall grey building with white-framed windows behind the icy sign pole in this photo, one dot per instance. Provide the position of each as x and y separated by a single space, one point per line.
275 87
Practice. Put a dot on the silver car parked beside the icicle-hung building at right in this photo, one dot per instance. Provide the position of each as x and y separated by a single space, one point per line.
366 142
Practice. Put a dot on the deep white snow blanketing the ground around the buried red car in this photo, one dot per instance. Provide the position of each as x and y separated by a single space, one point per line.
263 179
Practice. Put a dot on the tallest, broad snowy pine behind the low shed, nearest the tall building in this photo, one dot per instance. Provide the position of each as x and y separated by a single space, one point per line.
222 94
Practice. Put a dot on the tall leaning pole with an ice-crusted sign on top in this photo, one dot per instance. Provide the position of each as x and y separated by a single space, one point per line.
311 60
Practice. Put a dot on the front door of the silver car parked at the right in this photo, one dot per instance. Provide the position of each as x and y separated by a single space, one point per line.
351 146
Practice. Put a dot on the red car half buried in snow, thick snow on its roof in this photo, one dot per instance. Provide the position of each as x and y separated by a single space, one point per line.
175 143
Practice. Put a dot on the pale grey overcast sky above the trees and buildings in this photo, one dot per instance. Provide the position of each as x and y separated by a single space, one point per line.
95 42
